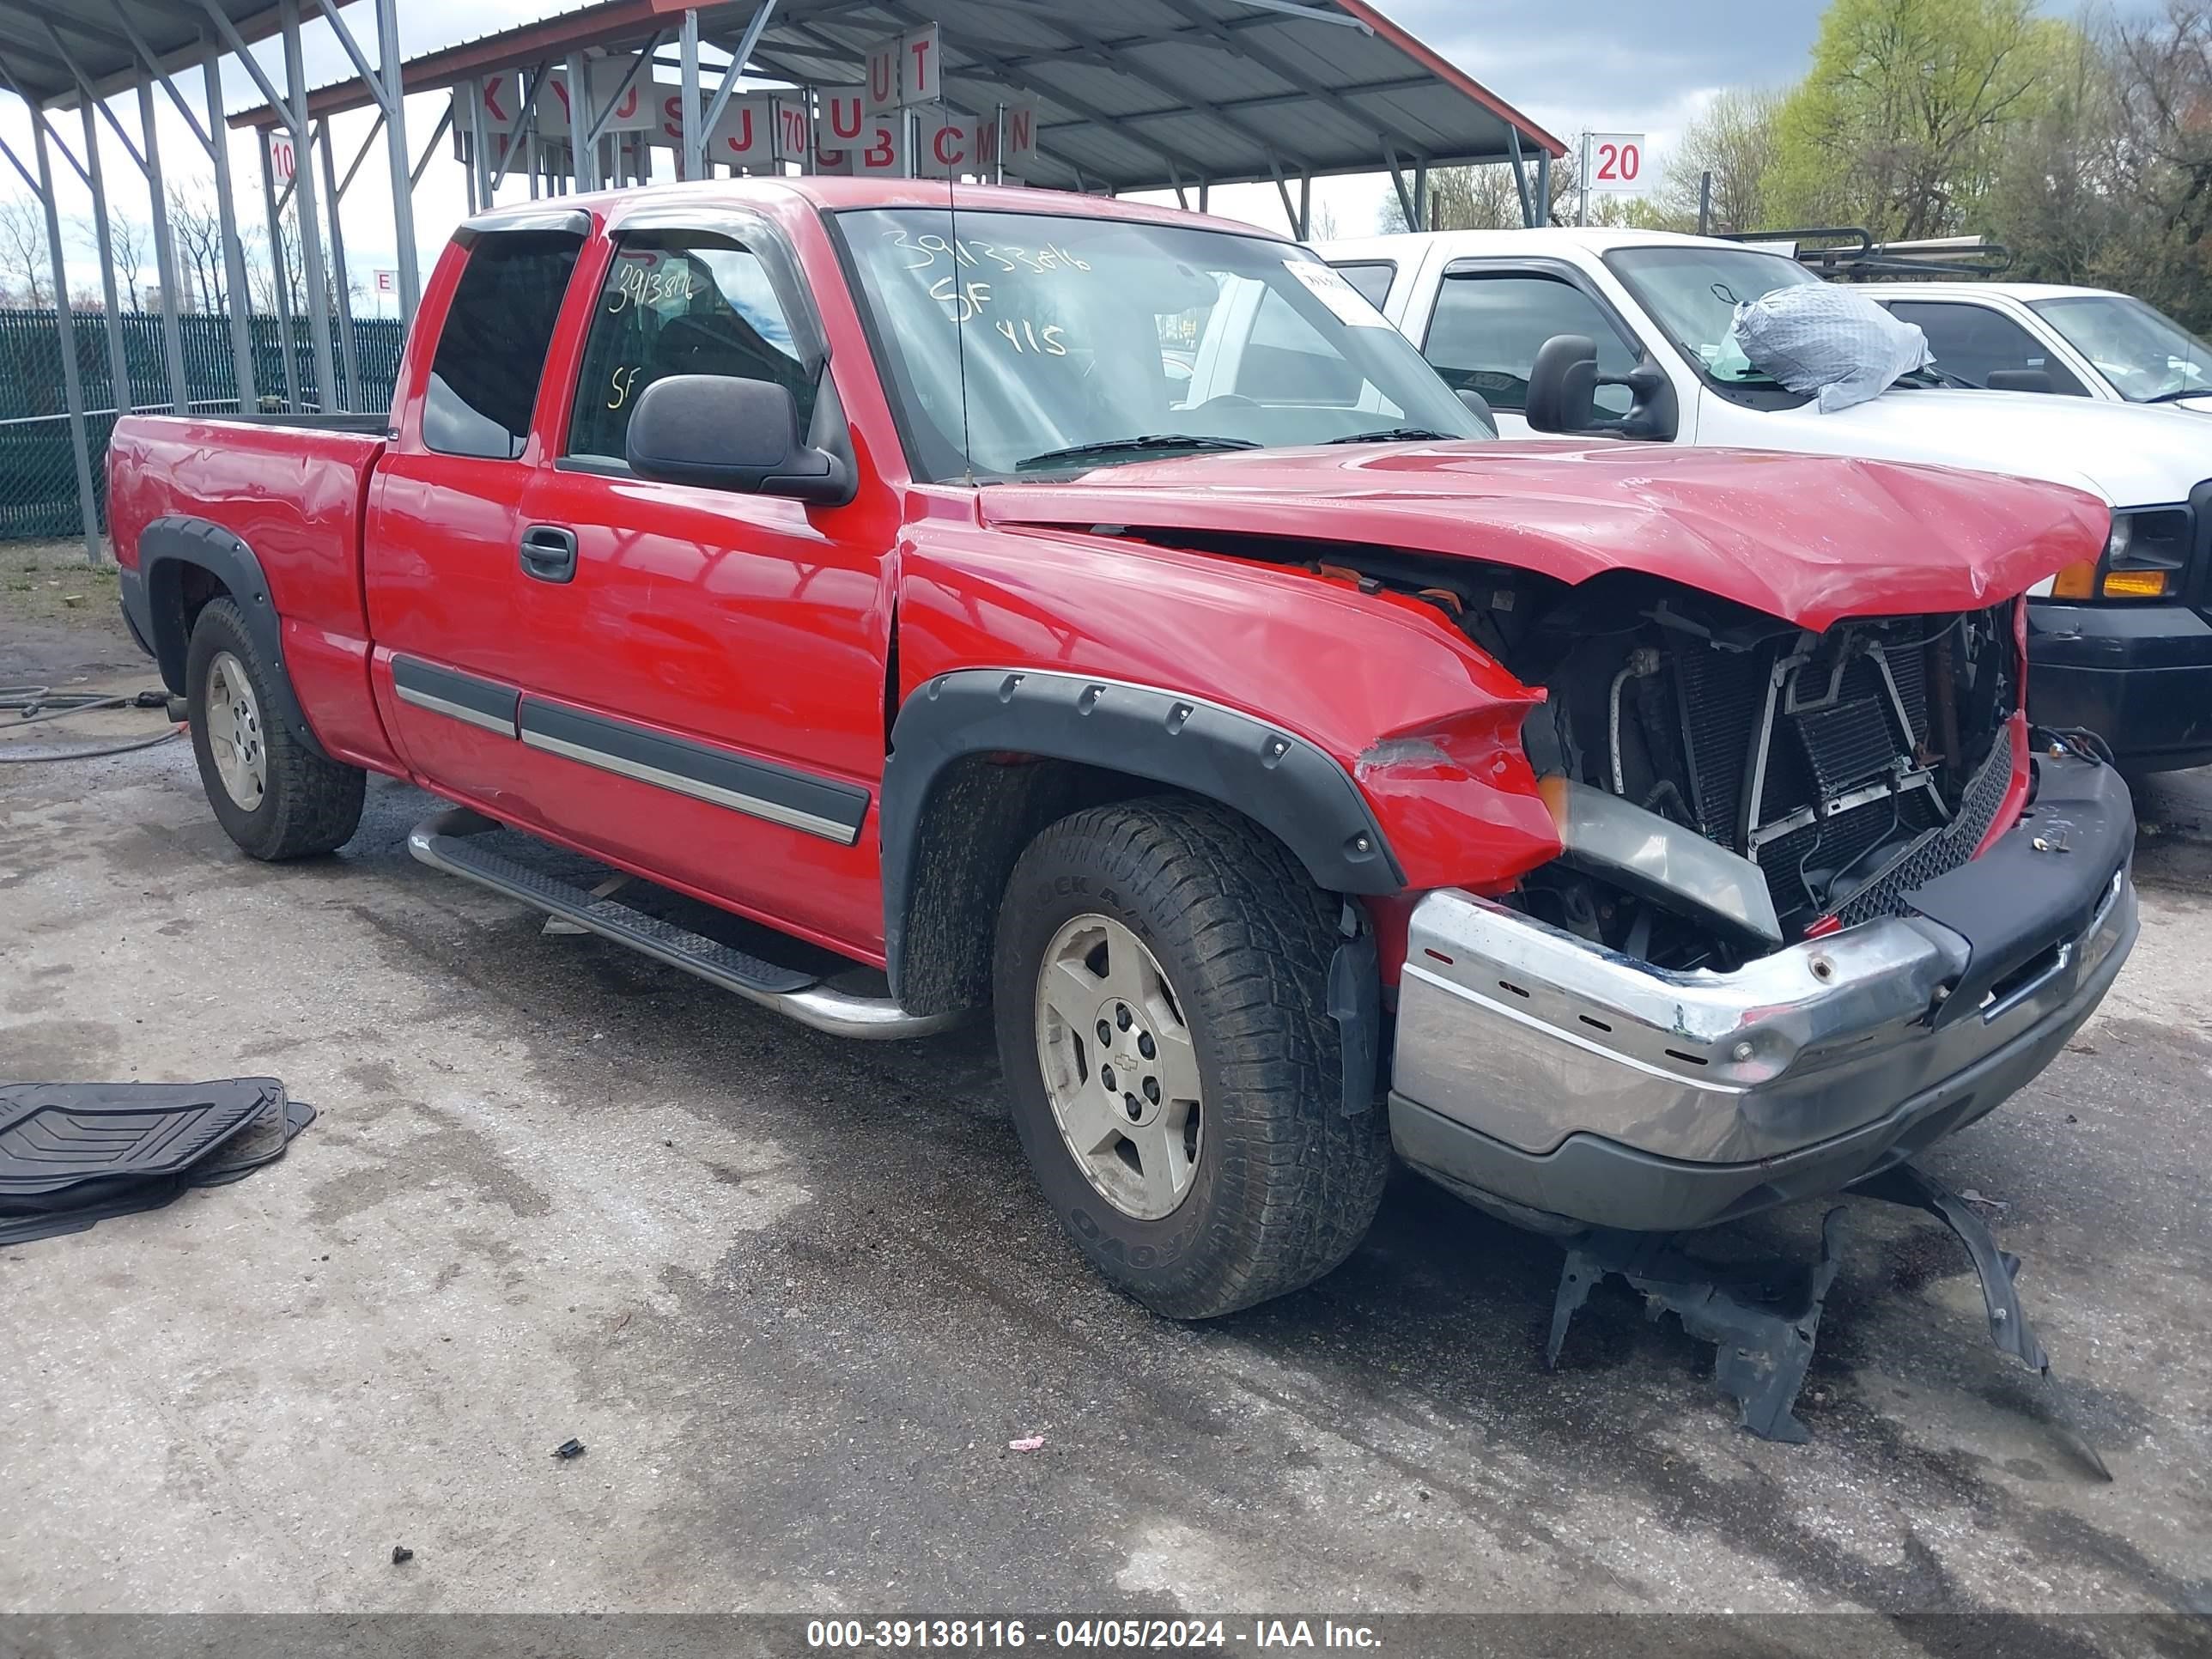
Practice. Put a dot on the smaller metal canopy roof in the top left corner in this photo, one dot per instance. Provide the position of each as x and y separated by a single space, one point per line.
41 41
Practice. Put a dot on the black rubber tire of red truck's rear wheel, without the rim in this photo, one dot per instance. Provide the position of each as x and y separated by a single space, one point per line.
311 804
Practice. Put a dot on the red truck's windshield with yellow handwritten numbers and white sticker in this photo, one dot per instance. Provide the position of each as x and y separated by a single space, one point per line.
1041 344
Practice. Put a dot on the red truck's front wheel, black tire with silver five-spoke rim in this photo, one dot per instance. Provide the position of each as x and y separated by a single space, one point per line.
1178 1083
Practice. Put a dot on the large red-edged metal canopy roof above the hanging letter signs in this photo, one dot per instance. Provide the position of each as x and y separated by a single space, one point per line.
1136 96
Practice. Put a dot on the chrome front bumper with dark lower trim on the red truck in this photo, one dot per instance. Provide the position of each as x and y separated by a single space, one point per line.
1569 1081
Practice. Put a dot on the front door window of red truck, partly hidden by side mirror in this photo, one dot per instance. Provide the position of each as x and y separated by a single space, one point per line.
680 302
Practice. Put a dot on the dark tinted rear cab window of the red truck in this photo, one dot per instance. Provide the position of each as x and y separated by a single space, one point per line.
494 344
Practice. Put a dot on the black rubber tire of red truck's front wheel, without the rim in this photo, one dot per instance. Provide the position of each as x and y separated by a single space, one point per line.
1286 1182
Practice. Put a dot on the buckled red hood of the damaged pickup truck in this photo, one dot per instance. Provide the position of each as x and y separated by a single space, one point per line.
1806 539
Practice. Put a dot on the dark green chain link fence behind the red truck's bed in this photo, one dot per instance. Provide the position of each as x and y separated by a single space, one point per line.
39 470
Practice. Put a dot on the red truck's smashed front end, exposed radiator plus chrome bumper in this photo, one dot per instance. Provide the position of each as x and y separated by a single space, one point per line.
1819 904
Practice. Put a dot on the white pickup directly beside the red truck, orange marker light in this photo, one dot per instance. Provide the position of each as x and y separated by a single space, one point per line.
1627 333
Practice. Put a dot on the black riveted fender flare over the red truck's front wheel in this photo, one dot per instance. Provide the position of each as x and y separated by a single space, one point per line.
1297 793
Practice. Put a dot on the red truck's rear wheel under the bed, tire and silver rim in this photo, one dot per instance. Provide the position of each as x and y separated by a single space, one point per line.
271 793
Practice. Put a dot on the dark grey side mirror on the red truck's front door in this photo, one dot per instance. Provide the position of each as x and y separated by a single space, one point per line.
731 435
